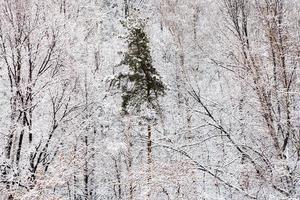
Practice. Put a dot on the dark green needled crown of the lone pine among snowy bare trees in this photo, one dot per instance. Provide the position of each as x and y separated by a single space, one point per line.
142 84
